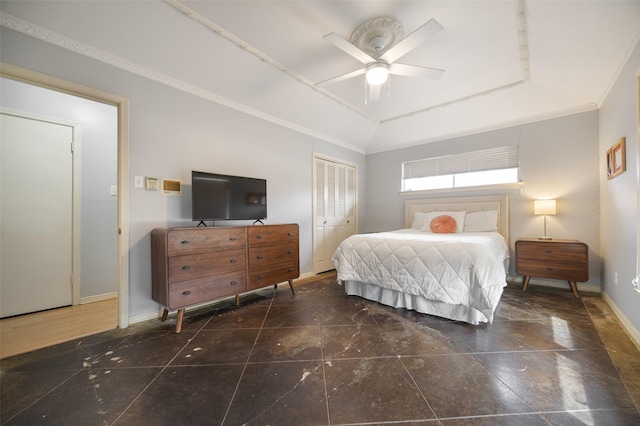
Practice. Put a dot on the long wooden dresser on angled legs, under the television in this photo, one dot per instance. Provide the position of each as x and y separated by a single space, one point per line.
192 266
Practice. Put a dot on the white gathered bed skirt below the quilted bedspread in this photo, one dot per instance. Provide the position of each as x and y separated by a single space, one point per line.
397 299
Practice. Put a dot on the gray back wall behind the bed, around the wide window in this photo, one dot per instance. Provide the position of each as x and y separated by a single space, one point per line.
558 159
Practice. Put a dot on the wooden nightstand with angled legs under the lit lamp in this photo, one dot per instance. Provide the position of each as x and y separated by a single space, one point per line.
555 259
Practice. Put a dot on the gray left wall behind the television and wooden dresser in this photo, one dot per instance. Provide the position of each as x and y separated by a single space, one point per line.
172 133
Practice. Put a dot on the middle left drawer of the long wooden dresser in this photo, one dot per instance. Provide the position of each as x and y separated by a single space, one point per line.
193 266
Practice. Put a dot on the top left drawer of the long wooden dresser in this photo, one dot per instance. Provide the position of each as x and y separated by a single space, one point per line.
198 240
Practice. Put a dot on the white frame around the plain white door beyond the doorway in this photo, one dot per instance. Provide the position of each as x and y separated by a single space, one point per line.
76 183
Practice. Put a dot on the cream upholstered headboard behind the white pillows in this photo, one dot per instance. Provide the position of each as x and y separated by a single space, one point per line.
470 204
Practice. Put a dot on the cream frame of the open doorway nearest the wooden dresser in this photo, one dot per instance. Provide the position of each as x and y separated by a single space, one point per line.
122 104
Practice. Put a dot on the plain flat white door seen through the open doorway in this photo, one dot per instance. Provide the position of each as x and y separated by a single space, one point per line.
36 163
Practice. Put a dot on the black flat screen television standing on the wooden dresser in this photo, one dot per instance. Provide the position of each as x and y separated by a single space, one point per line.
223 197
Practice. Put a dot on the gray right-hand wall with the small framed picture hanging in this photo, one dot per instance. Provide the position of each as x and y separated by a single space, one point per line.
619 201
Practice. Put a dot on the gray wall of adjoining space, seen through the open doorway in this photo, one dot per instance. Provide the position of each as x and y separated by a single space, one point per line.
98 156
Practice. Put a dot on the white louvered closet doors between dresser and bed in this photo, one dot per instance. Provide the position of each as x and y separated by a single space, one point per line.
334 210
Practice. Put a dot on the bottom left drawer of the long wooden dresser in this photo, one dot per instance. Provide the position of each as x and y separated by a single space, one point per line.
186 293
